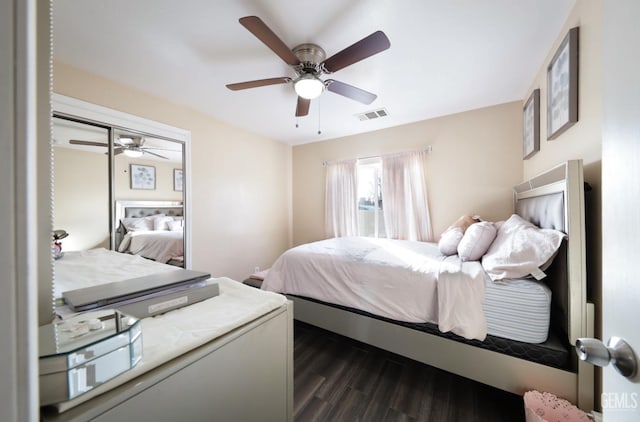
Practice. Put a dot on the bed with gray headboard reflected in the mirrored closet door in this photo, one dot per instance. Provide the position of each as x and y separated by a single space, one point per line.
152 229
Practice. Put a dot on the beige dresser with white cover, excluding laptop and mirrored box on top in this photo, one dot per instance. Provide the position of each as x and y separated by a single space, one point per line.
198 362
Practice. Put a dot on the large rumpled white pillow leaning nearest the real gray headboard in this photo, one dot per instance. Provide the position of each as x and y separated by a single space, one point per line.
519 249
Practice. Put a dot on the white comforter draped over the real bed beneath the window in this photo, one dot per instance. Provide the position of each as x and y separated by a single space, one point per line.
398 279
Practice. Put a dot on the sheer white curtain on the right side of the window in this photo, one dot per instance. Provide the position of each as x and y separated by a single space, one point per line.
404 197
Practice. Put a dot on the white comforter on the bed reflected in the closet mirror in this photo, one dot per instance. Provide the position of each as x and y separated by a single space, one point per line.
159 245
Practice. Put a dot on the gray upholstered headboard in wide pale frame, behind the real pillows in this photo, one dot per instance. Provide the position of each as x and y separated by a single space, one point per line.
555 200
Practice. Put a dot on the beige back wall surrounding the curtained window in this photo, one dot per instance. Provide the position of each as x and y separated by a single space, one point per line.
476 159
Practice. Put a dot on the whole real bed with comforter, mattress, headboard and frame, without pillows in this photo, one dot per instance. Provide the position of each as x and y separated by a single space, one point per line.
549 315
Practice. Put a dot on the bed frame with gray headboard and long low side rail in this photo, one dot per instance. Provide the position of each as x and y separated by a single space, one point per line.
562 189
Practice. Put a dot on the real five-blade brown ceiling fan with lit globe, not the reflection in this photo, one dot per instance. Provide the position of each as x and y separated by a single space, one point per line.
309 63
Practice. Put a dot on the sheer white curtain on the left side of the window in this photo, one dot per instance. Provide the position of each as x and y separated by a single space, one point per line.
341 199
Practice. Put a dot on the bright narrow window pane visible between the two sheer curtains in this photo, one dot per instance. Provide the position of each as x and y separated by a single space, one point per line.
370 210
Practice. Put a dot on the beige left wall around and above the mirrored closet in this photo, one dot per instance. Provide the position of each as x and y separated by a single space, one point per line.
241 182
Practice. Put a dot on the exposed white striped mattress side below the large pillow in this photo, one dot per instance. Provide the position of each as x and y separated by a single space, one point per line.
518 310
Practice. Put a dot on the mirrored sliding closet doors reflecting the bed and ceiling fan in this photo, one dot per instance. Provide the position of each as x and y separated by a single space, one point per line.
100 204
